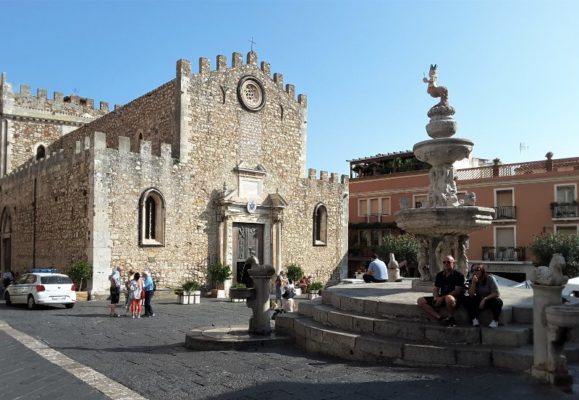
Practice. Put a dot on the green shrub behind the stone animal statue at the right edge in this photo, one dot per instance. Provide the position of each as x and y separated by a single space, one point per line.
545 245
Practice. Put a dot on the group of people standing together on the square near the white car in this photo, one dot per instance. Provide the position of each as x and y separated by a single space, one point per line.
139 289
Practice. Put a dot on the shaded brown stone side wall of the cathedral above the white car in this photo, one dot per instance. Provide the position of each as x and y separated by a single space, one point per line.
55 232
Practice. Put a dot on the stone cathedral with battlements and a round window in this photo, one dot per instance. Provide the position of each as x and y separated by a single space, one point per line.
202 169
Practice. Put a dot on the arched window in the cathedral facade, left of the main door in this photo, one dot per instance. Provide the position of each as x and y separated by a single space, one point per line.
152 218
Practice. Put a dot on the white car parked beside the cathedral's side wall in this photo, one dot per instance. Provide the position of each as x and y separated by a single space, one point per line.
40 288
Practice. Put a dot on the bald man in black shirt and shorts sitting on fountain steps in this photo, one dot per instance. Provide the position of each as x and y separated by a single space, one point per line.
448 290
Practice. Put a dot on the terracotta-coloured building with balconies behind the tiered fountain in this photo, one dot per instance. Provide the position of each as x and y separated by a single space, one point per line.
529 198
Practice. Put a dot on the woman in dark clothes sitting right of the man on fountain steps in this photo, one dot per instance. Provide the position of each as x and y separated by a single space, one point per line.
483 292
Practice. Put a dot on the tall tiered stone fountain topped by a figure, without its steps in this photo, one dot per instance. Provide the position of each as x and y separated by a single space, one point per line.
442 225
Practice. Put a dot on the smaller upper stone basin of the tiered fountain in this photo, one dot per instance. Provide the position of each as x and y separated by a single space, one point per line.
443 150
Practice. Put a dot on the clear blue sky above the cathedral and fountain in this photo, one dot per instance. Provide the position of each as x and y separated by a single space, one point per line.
511 67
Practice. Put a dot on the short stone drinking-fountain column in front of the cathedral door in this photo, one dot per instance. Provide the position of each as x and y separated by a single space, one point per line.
259 323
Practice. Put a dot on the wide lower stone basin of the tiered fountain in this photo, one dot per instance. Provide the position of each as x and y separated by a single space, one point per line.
444 220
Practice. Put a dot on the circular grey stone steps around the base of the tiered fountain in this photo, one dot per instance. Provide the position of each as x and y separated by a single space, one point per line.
382 323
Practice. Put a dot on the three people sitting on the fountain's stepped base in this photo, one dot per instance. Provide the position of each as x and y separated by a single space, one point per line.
449 291
